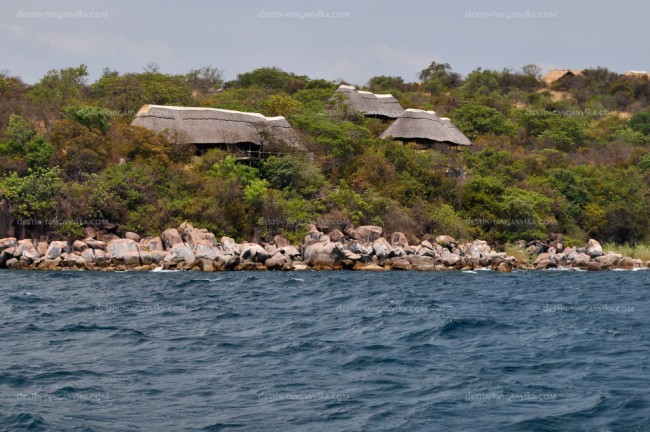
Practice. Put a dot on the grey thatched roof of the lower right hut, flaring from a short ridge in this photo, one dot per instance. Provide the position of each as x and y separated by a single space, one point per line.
425 126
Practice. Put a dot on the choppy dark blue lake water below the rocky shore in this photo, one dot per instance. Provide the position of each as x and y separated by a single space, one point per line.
315 351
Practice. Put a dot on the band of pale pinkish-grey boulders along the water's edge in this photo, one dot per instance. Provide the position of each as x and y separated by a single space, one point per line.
362 248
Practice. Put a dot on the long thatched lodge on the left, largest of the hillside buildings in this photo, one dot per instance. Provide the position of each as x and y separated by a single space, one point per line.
243 132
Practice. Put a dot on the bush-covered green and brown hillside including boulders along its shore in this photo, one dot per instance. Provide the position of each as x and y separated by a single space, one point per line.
567 153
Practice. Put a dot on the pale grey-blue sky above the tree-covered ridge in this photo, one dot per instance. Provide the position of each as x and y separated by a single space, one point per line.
362 39
